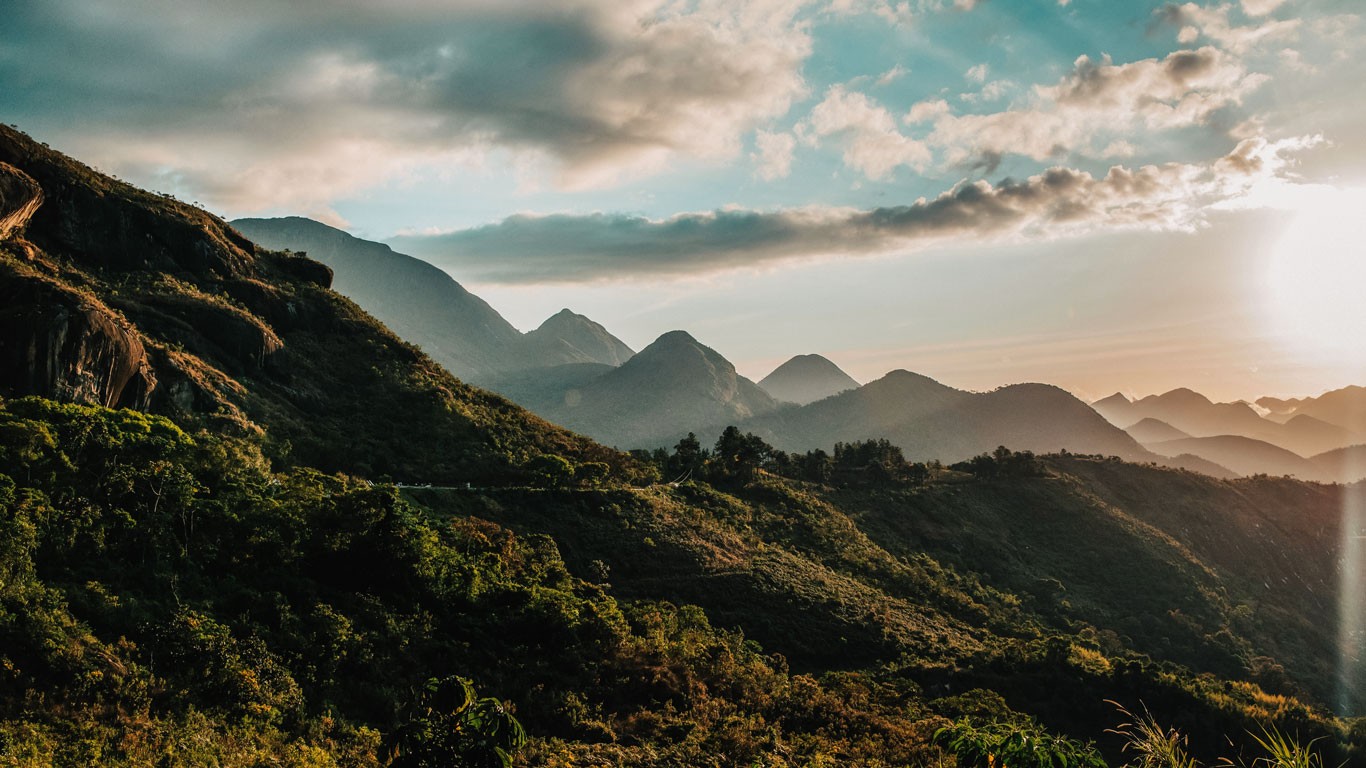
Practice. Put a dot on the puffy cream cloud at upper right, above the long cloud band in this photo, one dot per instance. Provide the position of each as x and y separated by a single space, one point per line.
1099 100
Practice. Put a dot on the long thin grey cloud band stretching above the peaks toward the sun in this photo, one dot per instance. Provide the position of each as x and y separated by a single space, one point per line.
1054 204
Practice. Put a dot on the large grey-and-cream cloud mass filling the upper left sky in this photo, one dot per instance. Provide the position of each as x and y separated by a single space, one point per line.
349 95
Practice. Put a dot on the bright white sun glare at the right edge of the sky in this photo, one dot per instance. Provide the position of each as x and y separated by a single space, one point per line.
1318 278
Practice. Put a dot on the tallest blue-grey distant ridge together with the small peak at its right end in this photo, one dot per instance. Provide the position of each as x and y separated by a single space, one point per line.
428 308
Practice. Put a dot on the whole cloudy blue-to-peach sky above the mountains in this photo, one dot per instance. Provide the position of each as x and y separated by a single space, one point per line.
1095 195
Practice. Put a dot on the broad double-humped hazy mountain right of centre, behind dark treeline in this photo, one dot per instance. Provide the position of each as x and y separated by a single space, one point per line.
932 422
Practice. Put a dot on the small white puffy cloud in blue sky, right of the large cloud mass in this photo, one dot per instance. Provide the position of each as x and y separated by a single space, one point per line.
872 144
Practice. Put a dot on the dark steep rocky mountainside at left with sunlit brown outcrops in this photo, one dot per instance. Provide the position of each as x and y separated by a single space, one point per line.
115 296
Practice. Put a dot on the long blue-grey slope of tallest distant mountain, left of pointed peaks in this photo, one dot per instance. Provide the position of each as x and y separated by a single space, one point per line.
417 301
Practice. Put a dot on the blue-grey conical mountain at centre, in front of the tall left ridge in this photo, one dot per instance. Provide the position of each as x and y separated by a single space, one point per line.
673 387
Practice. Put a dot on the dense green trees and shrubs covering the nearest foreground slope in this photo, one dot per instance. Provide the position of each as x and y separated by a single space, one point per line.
171 598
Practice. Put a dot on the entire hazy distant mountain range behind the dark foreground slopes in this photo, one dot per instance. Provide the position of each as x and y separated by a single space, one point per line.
566 372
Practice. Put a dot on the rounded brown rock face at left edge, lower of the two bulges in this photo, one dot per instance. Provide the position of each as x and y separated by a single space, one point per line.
61 345
